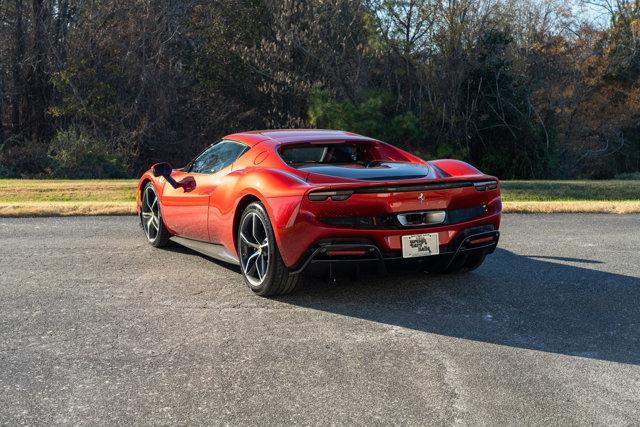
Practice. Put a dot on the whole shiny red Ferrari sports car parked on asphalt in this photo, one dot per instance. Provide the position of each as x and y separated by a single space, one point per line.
274 202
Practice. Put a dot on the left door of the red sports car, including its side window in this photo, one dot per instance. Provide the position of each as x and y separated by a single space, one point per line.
186 208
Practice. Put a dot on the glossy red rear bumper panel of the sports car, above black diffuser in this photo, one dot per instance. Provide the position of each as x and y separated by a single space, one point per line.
300 225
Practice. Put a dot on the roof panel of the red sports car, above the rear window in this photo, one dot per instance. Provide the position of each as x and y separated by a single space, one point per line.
286 136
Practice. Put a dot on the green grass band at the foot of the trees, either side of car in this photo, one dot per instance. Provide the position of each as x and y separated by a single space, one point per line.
19 191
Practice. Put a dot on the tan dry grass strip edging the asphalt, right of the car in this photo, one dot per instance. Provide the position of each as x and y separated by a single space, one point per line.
583 206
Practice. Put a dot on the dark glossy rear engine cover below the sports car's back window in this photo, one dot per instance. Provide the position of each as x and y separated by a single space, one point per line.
385 171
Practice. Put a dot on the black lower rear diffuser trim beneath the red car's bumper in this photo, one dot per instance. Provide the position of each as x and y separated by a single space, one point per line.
483 239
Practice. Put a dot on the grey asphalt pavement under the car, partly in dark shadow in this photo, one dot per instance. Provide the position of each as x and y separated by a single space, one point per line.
97 327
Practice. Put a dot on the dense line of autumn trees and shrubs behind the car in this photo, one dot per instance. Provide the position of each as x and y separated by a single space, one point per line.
520 88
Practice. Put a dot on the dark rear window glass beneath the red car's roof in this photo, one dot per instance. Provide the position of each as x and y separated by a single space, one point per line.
326 154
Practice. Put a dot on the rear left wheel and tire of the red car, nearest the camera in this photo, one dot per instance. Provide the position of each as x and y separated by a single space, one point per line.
262 267
